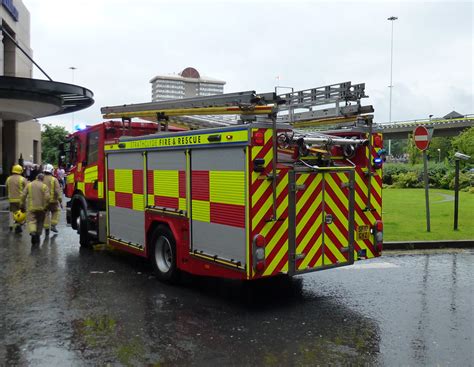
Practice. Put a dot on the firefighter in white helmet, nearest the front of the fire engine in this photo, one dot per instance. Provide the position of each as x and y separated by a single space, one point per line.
55 199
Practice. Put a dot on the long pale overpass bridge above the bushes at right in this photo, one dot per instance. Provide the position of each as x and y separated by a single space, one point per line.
441 126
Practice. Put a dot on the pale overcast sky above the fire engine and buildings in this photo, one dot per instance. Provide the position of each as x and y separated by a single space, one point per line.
117 46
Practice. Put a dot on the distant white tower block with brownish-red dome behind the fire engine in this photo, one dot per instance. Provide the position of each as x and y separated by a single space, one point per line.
188 83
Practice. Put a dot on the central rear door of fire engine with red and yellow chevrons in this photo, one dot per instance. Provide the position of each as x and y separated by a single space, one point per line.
321 212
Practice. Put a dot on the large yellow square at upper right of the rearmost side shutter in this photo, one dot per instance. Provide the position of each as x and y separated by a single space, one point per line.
227 187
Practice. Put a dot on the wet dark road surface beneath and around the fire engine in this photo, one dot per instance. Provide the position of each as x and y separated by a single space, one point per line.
60 305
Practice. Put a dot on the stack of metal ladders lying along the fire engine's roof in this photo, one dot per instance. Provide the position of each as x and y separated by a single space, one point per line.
297 108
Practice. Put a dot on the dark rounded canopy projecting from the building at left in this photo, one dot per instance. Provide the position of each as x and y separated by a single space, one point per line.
24 99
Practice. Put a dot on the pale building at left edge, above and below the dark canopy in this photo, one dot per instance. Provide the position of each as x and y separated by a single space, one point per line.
16 137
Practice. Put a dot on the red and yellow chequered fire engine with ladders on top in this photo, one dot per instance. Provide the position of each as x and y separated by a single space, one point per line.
253 188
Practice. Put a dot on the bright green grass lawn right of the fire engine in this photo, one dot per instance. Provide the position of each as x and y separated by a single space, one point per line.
404 215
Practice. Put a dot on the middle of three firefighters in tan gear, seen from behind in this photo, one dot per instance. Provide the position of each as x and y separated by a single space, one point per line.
35 198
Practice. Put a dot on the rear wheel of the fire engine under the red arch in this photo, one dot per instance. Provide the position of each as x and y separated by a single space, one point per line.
163 254
